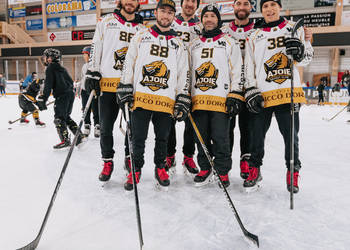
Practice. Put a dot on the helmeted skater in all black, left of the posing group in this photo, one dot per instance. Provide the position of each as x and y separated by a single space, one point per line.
60 83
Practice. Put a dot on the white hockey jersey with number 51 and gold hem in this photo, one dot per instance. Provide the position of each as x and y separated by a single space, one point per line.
216 67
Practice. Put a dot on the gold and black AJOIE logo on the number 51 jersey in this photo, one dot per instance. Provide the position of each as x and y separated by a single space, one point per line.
206 76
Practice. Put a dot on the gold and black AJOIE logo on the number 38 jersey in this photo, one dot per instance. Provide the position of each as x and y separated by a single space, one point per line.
277 68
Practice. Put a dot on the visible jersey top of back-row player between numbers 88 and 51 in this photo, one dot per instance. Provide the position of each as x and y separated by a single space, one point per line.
186 30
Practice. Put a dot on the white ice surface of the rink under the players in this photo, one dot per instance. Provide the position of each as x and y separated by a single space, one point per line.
87 216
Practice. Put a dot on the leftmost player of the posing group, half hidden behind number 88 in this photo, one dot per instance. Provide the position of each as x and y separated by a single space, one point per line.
109 46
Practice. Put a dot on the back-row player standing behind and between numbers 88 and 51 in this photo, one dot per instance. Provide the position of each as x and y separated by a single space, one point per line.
187 26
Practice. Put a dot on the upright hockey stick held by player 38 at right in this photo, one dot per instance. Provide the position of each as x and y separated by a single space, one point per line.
296 26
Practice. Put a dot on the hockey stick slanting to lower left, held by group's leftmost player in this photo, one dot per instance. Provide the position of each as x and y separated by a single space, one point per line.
32 245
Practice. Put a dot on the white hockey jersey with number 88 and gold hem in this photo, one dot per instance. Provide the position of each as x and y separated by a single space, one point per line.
157 66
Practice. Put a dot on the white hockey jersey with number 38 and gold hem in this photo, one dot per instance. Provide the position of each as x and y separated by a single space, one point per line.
267 66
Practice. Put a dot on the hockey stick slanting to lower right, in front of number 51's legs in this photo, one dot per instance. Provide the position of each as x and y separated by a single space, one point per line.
249 235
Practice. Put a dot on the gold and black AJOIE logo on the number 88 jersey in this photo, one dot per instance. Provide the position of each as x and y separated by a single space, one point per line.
155 76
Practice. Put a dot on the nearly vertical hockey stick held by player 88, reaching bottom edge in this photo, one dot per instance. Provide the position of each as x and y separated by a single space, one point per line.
131 152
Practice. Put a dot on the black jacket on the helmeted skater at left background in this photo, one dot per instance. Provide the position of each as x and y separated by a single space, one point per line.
58 80
